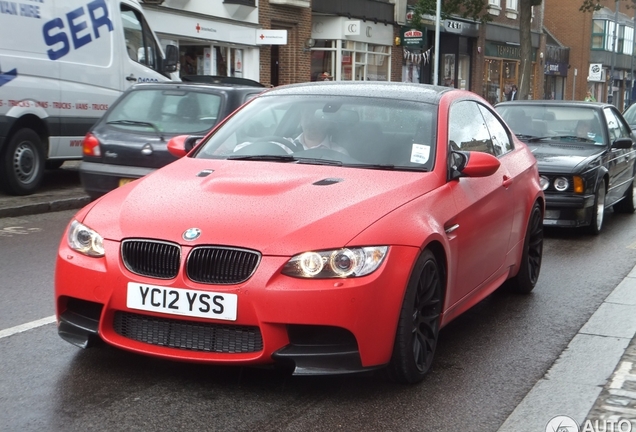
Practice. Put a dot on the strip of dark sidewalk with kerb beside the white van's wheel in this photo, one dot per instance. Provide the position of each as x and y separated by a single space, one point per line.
61 190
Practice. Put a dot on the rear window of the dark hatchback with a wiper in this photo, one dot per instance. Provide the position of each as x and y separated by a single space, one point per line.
172 111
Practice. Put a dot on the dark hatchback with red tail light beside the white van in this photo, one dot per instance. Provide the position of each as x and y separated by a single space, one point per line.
131 139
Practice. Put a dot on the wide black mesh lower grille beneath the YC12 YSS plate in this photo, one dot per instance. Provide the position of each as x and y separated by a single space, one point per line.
188 335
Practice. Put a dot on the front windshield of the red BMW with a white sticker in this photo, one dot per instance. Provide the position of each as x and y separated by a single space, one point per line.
349 131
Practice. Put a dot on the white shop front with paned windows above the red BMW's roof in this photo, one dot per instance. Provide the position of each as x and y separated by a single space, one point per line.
345 49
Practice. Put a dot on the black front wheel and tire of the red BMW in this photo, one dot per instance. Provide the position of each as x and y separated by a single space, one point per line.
418 324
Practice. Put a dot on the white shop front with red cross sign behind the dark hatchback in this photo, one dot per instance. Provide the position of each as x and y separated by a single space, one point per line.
208 46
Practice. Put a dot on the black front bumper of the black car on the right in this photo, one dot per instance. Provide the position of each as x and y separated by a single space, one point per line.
568 210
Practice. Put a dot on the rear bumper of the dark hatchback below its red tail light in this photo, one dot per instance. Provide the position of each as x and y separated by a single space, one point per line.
98 179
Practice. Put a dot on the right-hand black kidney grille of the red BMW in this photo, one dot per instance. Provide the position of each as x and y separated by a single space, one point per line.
217 265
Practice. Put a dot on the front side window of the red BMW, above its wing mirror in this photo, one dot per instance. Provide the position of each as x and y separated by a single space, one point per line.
467 129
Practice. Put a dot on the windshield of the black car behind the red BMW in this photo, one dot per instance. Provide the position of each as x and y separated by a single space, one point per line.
554 123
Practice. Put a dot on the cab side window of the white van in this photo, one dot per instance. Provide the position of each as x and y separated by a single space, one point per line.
140 44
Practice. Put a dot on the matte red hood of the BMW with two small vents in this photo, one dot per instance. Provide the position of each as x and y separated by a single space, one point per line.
275 208
